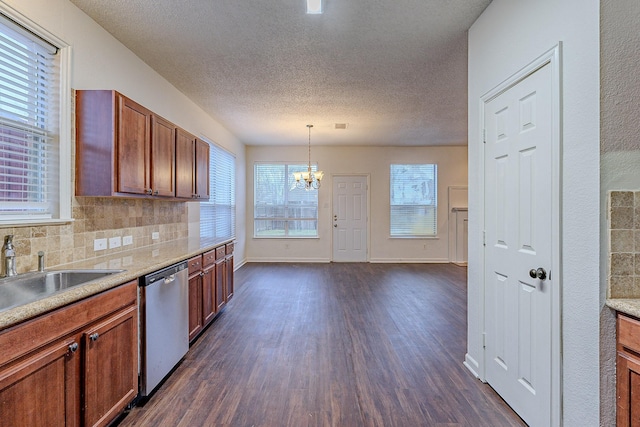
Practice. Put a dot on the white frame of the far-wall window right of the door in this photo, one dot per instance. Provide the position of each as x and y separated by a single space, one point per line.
433 205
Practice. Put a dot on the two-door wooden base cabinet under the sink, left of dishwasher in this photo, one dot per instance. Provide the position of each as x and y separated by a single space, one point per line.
77 365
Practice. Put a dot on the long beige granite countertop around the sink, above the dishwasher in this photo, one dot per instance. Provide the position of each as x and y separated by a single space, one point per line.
135 262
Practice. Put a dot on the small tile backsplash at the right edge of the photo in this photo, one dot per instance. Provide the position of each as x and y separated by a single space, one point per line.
623 217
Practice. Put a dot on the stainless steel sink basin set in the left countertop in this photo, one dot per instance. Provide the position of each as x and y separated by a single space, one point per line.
29 287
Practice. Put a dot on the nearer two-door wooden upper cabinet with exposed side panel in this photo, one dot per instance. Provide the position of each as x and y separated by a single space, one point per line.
122 148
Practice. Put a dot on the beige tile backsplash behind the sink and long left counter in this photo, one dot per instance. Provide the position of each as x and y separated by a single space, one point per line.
97 218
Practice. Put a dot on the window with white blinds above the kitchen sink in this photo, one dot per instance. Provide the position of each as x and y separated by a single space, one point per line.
29 162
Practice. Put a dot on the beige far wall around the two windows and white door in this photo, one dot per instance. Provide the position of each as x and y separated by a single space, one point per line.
372 161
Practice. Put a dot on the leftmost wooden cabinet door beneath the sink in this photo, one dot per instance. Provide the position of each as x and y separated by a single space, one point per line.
43 389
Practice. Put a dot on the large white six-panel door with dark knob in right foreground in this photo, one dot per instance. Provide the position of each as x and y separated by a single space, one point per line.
519 217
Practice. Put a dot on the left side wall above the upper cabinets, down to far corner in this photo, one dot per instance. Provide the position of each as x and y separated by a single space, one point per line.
99 61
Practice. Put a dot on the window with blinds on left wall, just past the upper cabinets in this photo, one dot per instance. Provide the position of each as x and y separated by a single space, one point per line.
218 214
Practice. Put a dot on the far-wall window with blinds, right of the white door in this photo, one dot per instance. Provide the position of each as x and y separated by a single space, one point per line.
414 200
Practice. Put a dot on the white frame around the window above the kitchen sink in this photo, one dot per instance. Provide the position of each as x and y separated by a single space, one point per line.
65 182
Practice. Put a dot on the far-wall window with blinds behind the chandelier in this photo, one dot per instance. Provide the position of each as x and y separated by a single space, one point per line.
280 208
